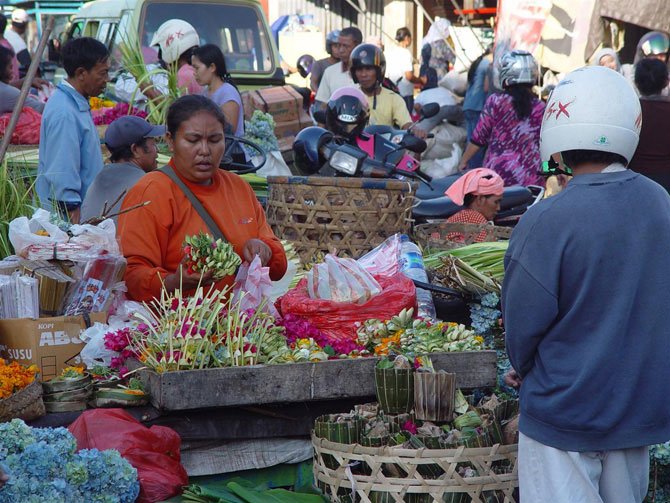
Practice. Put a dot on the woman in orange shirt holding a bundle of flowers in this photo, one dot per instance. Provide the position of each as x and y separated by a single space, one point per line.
153 235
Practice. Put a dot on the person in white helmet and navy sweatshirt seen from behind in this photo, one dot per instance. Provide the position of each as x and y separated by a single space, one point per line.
585 334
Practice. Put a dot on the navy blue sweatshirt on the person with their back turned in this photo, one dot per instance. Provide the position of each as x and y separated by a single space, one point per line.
584 300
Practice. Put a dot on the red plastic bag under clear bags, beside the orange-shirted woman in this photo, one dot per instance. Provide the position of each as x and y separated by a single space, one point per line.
338 319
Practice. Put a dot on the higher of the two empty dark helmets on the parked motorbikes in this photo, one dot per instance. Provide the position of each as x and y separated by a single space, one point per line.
347 112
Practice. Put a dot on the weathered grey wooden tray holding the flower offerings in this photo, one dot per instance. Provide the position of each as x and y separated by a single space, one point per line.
297 382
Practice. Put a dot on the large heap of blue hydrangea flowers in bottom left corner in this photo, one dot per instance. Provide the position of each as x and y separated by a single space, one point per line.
43 466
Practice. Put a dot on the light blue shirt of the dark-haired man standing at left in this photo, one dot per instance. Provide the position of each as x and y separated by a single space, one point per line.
70 156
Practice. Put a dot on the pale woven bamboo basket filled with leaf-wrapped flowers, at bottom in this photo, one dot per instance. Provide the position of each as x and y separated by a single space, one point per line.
393 474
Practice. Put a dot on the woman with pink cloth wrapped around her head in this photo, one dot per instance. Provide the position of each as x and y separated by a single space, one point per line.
480 192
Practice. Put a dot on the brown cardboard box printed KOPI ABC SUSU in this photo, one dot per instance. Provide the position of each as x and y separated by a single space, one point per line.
50 343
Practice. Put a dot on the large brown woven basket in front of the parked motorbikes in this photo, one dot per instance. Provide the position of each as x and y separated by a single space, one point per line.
352 215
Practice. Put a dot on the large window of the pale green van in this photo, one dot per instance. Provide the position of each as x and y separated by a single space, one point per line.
238 30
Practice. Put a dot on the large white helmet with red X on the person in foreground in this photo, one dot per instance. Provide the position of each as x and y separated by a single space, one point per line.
593 108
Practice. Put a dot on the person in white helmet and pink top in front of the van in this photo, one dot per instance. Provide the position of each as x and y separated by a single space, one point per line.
175 40
